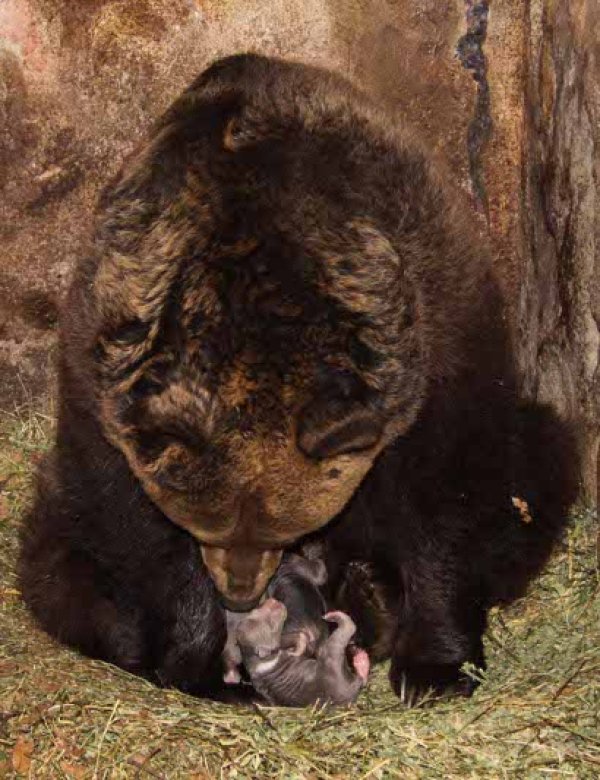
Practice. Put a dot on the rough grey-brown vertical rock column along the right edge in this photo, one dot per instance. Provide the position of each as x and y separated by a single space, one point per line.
559 296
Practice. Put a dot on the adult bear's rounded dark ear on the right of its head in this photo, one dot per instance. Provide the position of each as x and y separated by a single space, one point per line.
337 426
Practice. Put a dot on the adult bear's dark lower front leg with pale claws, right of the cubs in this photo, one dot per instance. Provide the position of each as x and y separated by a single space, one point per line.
439 629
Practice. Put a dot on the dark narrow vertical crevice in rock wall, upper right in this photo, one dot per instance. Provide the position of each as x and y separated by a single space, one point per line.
469 50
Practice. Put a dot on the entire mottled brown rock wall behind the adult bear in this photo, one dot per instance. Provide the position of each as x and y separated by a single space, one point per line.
506 91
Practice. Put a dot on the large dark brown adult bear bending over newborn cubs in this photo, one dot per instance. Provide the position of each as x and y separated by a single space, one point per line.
286 318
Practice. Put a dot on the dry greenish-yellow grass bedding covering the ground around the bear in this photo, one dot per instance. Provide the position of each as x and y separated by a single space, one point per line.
536 715
